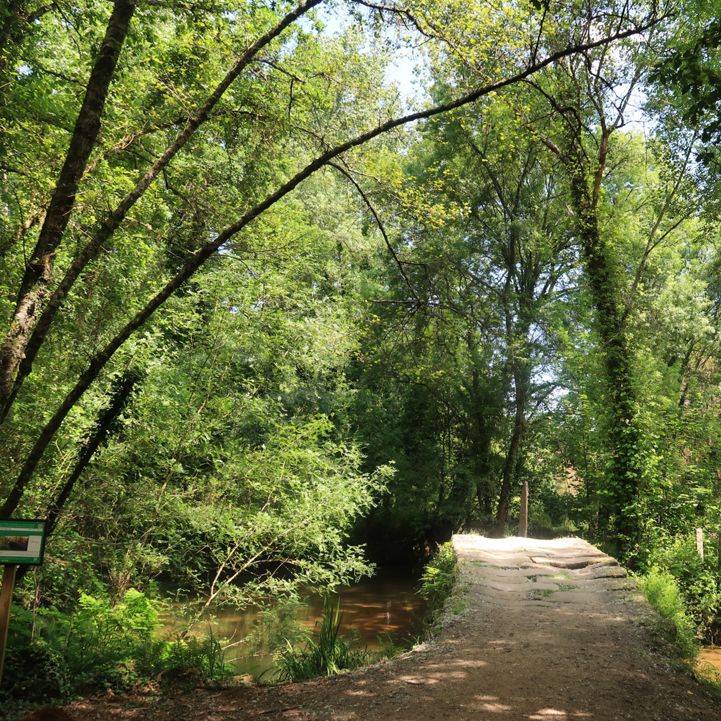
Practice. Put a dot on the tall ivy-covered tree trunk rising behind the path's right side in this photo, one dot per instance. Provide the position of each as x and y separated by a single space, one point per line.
589 110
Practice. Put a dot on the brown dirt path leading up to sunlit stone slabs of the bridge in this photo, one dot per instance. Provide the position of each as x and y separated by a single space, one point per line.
550 631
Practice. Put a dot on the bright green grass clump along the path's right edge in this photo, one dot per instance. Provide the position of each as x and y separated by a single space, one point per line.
663 593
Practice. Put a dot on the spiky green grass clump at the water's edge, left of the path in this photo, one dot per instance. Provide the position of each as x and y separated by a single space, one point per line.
328 655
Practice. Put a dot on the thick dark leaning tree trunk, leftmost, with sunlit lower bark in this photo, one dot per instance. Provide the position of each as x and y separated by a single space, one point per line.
38 271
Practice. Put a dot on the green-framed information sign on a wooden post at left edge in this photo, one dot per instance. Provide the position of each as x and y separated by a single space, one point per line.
21 543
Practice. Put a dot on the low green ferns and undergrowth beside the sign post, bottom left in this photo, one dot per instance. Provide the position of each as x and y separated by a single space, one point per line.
53 654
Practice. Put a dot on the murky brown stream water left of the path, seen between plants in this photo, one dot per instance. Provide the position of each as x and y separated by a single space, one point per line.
375 611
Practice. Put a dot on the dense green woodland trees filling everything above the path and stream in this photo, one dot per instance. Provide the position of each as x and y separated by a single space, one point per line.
264 317
